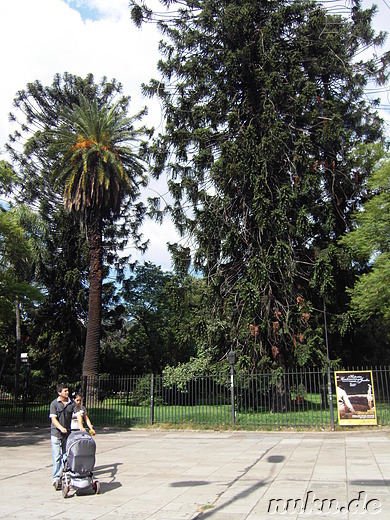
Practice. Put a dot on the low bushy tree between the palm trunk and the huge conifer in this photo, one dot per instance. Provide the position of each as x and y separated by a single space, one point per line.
160 319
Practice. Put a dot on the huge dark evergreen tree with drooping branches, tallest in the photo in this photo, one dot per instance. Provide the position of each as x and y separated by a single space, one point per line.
264 102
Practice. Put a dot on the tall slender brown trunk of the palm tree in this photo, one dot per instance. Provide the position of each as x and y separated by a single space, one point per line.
92 344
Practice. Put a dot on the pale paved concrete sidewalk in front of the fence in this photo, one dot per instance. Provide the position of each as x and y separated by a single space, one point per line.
153 474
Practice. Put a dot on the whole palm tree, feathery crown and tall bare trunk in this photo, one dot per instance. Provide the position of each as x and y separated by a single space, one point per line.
97 168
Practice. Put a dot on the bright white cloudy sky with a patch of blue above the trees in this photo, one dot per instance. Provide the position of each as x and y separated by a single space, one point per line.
40 38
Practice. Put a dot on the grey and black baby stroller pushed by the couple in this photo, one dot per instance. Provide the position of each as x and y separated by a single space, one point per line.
78 463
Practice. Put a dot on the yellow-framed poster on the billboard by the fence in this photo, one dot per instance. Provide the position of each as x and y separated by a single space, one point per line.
355 397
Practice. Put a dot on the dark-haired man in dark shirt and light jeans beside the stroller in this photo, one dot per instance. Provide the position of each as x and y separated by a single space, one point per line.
61 410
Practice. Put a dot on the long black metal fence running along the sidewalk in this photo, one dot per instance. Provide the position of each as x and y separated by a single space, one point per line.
273 400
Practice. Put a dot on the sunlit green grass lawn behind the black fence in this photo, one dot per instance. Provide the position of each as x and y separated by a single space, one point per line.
117 413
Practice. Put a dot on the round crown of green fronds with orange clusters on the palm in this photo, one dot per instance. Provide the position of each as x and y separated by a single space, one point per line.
98 162
